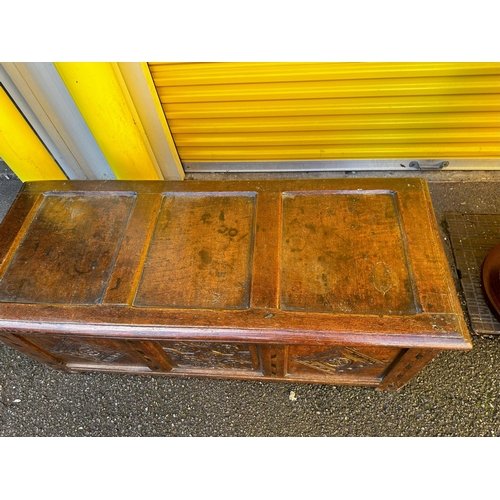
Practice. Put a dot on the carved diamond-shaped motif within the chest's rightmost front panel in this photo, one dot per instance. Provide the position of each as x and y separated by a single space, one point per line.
339 360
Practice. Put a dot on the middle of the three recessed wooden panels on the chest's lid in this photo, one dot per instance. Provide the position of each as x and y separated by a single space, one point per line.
200 253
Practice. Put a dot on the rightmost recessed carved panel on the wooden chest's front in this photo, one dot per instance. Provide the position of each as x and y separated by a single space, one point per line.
340 361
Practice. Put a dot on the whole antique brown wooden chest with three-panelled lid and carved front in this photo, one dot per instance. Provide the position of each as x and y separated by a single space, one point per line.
338 281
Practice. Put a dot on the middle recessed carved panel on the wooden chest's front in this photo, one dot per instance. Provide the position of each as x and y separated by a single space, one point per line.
208 355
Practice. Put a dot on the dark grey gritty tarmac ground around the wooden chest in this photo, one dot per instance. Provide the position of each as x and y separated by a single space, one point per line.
457 394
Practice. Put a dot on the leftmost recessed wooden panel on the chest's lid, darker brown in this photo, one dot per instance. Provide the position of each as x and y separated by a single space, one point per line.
68 250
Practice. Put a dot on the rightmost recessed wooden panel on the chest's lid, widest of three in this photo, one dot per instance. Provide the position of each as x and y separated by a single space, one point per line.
344 252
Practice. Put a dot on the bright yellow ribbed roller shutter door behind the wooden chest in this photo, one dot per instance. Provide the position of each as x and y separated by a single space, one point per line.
237 112
